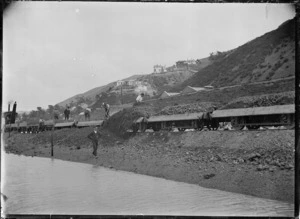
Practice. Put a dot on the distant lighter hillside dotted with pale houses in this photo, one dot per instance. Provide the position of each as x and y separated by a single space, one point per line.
151 84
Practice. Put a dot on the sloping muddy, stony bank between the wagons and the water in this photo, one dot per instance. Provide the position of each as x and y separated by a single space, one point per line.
258 163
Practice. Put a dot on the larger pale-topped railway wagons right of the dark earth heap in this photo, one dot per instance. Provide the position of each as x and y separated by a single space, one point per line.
252 118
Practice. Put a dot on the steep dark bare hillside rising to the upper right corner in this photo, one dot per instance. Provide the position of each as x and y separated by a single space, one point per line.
268 57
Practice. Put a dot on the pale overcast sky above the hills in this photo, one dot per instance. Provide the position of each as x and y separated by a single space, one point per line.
55 50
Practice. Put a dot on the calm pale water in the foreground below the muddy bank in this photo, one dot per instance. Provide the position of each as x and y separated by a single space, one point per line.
49 186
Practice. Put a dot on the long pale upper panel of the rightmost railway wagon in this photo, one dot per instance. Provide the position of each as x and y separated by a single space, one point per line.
278 109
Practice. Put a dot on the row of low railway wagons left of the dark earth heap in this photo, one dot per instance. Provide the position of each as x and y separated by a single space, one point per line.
25 127
